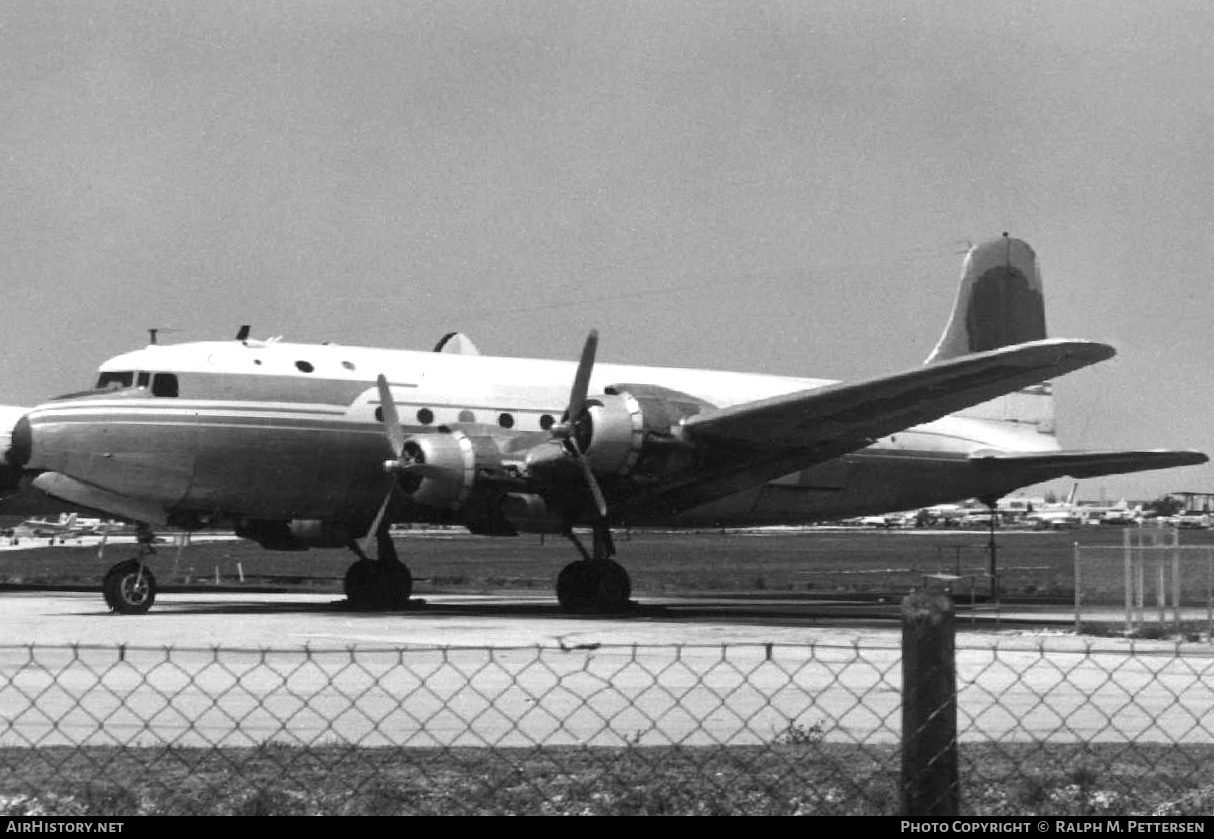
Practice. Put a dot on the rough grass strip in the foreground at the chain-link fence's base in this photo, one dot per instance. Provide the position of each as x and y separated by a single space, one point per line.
791 778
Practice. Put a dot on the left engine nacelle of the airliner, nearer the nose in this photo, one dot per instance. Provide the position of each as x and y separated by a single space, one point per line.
452 462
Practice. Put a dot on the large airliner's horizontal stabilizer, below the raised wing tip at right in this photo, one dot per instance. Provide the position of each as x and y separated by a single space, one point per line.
1037 467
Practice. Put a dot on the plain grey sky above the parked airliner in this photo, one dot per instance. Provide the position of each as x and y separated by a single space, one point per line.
781 188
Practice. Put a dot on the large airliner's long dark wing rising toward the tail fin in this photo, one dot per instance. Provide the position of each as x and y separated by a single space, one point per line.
853 416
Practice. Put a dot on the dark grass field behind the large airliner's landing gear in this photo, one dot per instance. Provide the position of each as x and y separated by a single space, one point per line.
819 560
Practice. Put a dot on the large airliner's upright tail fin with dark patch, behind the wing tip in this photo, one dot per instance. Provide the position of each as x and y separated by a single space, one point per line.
1001 303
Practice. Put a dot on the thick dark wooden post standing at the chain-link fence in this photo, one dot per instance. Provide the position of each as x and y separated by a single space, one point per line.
931 786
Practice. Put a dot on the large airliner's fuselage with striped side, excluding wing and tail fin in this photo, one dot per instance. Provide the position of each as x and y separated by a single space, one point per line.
287 432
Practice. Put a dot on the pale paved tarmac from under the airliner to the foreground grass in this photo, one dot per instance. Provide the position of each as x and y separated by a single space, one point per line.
249 668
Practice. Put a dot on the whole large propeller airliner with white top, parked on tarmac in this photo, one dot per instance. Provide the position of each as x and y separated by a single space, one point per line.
302 446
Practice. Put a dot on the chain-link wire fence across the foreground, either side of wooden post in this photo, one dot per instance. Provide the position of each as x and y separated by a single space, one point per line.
1043 728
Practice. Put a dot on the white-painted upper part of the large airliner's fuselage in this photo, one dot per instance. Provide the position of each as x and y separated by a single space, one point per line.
483 389
